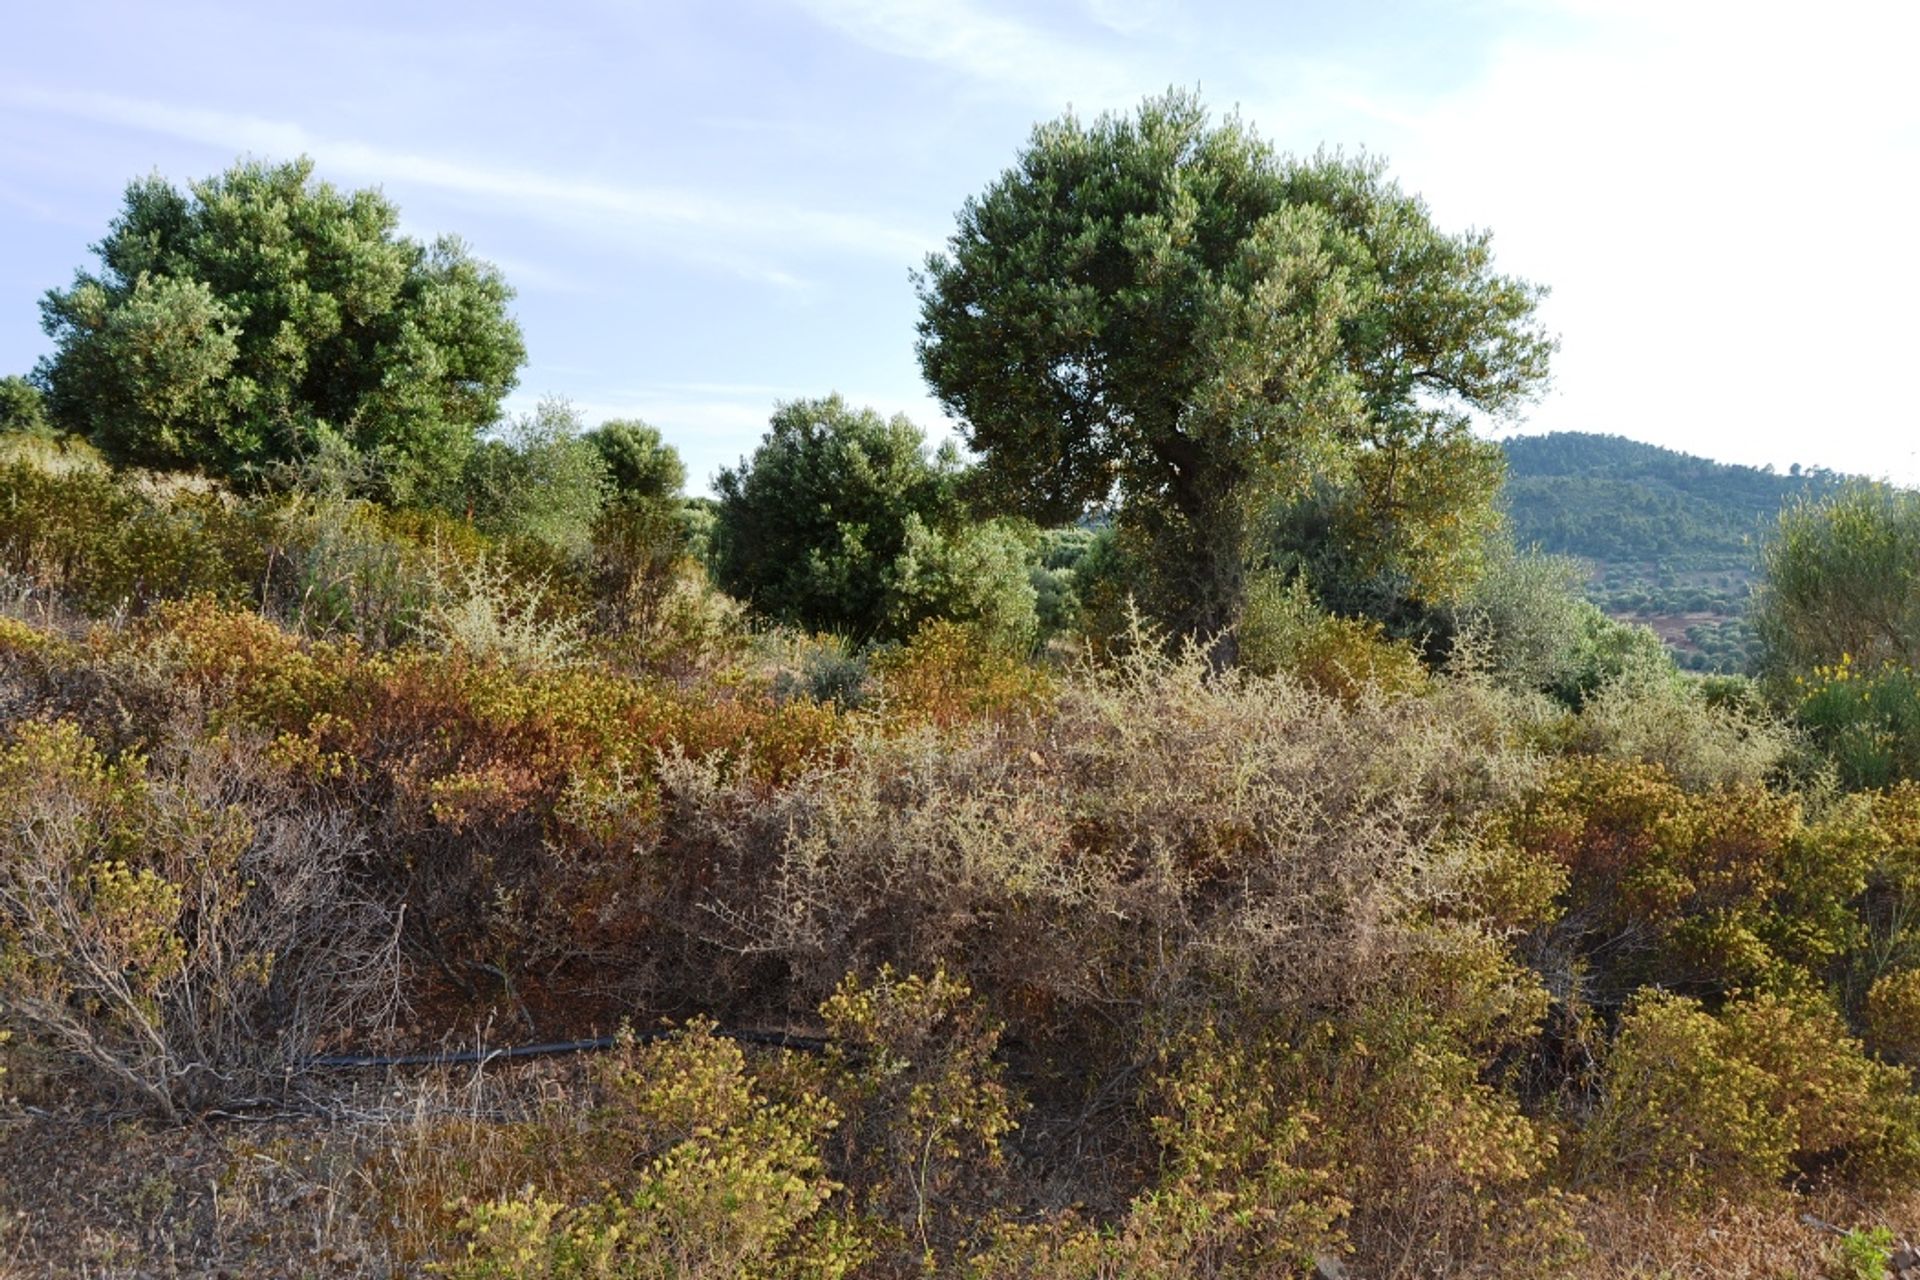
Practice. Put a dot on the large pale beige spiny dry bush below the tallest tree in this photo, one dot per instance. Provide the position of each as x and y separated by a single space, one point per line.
1161 843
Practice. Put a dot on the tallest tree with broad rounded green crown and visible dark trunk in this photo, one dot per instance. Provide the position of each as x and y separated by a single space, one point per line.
1164 314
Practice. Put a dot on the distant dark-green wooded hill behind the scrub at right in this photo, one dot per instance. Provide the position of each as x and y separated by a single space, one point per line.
1673 540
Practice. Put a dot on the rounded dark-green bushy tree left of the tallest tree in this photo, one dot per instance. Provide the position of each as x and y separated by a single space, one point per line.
840 523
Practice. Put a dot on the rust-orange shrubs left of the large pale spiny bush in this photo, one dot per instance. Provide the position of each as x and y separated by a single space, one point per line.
510 807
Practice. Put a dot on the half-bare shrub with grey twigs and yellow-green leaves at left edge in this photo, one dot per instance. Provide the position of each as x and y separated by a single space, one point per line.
180 932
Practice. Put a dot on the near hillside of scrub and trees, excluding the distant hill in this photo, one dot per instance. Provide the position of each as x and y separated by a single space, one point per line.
1376 909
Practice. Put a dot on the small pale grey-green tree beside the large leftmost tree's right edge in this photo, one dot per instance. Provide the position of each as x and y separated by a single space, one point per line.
544 483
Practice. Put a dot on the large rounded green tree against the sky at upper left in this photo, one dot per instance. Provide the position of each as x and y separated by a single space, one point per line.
262 314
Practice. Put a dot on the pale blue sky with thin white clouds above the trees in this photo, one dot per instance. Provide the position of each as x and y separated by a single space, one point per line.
713 206
